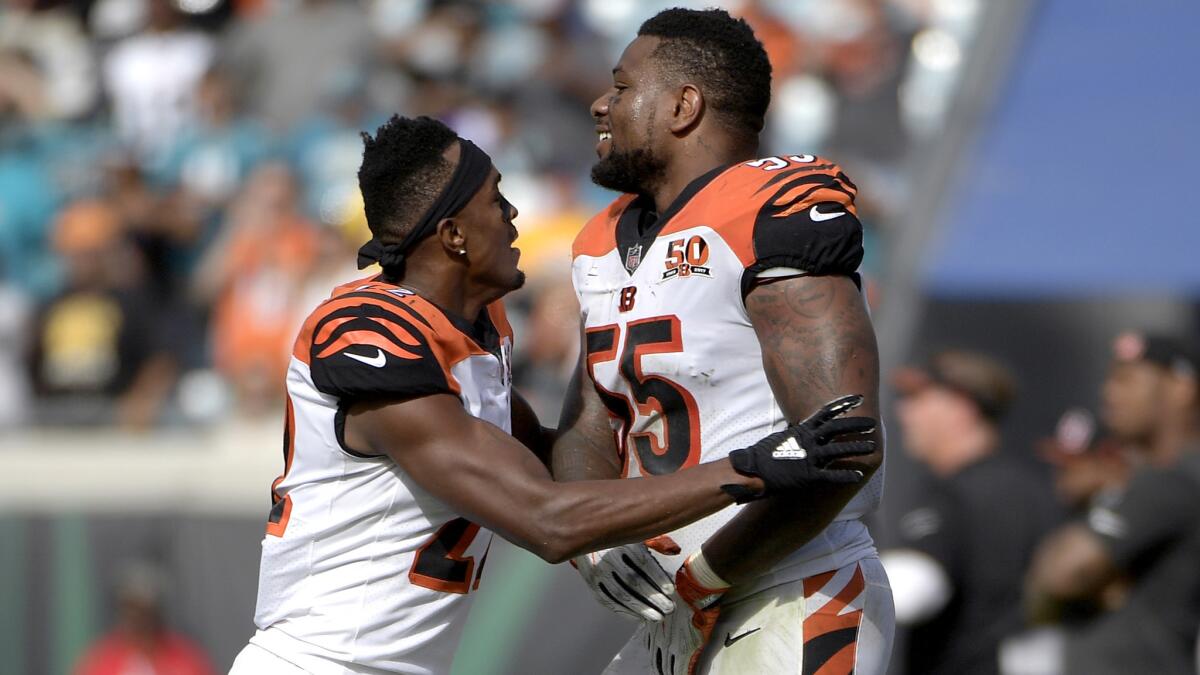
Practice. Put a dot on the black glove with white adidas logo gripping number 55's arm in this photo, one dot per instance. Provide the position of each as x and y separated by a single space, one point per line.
800 456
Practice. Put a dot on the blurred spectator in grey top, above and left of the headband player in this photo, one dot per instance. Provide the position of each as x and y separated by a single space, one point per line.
291 56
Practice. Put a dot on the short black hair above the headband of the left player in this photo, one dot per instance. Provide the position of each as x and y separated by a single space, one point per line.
403 174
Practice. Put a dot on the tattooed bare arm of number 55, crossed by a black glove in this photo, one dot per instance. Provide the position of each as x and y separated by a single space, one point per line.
818 343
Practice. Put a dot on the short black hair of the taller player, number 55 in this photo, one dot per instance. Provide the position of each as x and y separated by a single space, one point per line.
719 53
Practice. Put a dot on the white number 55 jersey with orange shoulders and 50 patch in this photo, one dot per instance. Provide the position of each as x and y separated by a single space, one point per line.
669 342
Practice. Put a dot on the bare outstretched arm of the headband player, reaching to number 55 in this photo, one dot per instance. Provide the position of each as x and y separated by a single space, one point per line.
489 477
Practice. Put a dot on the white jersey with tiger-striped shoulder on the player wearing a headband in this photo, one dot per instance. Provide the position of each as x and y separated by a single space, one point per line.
363 570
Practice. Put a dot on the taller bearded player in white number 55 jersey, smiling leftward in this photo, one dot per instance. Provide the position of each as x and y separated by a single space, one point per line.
721 301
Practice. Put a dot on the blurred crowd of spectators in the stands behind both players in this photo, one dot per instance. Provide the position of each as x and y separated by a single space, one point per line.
178 177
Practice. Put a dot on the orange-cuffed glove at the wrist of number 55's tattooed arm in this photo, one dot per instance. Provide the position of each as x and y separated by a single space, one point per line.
677 642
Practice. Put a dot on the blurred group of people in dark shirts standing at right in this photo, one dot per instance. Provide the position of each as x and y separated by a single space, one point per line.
1089 569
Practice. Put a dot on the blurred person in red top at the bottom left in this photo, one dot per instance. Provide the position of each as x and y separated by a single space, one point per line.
141 644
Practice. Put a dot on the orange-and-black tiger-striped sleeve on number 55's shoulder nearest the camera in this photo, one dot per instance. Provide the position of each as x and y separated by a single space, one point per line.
807 222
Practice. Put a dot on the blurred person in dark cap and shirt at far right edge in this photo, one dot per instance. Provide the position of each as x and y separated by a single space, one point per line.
1137 554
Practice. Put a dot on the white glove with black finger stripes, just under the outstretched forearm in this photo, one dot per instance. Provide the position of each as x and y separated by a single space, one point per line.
629 582
